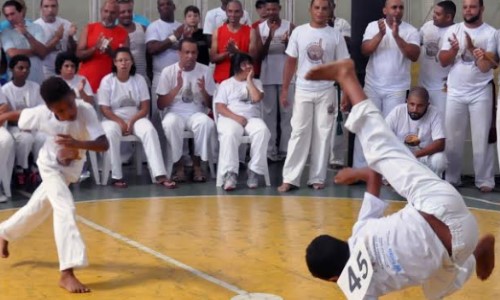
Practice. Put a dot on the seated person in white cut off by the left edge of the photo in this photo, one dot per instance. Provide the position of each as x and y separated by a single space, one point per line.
7 144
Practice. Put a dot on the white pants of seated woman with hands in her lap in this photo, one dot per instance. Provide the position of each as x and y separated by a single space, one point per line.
145 131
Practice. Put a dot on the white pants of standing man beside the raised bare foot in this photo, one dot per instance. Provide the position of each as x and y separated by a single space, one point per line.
312 124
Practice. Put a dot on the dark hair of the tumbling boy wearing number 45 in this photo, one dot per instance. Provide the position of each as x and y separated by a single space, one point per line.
327 256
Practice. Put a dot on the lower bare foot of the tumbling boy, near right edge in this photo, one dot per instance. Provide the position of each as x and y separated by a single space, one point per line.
485 256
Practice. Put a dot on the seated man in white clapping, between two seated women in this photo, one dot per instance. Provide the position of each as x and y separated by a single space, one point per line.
185 92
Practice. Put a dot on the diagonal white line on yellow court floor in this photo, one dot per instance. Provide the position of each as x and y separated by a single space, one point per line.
161 256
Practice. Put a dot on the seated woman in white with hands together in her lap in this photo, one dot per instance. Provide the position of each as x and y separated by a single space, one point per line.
124 102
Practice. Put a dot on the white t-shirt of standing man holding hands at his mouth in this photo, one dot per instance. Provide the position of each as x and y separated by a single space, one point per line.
388 69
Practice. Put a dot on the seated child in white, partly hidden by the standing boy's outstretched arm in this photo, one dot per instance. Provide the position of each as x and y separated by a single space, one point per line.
22 93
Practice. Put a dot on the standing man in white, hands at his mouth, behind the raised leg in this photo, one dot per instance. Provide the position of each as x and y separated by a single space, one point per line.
392 45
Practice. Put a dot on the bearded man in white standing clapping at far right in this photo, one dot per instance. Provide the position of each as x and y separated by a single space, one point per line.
468 46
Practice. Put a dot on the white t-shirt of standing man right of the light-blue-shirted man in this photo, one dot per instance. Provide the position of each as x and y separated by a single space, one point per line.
49 30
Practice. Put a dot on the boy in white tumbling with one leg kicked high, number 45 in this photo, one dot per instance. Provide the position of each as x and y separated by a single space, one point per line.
432 242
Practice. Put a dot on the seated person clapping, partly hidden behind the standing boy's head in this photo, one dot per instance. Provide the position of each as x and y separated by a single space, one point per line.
66 68
